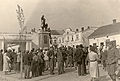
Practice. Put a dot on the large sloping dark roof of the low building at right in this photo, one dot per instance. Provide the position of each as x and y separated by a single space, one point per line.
106 30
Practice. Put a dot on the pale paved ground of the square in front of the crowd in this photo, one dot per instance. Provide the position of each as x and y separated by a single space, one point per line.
70 75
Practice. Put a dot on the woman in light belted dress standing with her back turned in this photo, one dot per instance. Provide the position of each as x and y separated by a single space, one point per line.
93 59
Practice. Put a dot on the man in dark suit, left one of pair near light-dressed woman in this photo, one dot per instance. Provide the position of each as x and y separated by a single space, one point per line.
78 56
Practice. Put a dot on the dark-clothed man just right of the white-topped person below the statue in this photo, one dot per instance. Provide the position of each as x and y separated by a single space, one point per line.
51 60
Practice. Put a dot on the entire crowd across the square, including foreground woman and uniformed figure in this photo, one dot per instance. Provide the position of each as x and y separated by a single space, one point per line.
37 61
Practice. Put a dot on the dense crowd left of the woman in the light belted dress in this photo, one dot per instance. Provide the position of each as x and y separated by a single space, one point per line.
37 61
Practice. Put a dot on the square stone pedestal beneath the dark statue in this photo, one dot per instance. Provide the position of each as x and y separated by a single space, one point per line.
44 39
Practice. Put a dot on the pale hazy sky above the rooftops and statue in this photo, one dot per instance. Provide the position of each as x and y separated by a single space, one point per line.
60 14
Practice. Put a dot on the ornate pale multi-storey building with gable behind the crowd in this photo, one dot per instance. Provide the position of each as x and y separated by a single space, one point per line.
70 37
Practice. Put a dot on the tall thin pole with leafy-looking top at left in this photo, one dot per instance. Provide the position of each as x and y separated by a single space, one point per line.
21 19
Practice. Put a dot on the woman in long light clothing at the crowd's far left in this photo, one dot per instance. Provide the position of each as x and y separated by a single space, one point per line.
6 61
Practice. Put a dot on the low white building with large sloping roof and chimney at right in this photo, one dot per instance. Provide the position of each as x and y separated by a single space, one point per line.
106 33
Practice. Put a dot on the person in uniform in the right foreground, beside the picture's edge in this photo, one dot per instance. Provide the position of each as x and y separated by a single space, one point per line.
112 57
